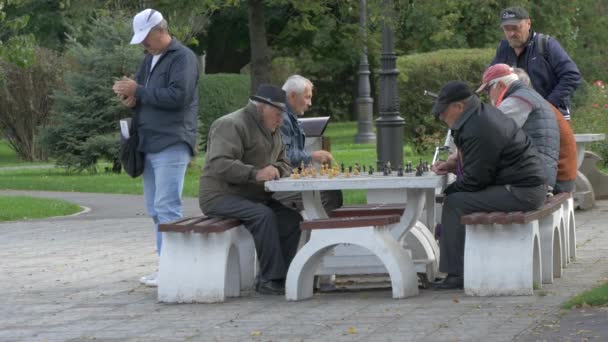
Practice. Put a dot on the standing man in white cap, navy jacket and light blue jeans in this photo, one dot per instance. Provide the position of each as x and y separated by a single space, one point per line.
164 96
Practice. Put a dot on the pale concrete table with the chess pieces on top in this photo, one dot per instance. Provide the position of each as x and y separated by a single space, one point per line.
417 192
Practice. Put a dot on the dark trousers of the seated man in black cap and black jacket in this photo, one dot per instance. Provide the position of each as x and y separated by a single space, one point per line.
493 198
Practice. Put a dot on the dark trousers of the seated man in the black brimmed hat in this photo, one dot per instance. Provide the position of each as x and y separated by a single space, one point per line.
275 229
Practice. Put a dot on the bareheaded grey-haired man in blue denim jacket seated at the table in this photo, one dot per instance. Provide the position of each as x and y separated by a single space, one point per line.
299 98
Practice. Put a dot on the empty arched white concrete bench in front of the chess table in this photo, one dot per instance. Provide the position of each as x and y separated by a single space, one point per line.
370 232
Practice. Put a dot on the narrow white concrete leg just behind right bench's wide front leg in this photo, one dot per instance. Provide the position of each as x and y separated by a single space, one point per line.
551 228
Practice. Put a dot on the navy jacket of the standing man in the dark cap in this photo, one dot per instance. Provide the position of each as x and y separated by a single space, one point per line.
555 78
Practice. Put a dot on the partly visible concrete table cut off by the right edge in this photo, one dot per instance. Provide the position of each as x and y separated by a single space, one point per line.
584 197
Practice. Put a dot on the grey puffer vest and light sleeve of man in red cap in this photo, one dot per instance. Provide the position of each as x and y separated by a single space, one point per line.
534 115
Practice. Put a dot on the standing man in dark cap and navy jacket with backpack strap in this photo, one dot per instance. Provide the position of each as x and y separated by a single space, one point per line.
553 74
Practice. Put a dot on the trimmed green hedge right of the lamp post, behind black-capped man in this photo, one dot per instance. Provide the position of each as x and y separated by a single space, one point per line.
429 71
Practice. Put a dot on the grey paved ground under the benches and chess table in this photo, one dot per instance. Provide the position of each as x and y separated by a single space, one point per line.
76 279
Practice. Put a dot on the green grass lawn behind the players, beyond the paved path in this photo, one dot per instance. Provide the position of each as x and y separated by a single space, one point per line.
342 147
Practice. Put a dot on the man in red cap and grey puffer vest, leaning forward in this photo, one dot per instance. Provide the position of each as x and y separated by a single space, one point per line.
529 110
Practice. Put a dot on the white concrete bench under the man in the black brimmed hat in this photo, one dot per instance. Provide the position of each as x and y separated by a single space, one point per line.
205 260
